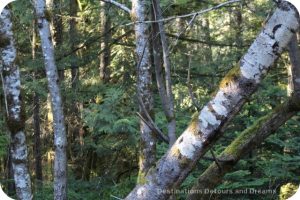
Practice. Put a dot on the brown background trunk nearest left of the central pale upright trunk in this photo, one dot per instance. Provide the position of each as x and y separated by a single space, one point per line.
104 44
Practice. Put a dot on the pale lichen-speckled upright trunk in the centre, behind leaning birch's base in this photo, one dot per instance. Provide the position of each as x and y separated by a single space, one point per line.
148 141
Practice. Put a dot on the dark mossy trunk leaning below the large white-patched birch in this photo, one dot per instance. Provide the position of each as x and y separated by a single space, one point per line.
241 146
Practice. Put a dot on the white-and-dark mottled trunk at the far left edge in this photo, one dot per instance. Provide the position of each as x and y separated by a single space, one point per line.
14 105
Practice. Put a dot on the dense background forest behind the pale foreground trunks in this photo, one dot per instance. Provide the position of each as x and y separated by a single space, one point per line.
94 46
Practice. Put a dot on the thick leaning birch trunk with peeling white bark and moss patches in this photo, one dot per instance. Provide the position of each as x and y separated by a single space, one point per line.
239 84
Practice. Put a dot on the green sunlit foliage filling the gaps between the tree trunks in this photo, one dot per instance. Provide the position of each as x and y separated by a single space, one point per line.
104 150
